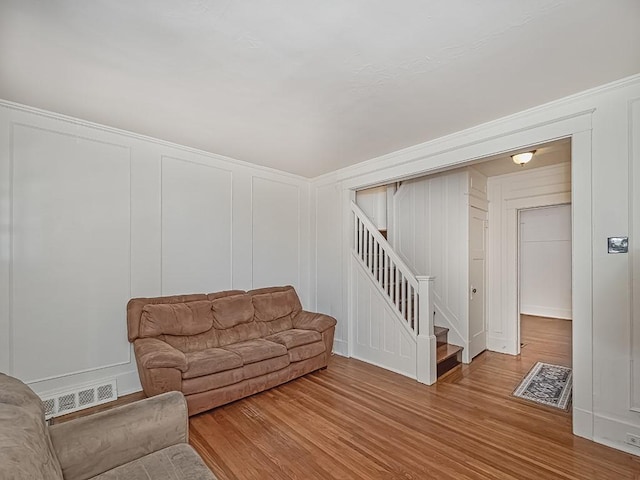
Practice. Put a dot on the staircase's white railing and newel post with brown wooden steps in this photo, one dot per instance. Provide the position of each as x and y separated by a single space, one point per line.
407 295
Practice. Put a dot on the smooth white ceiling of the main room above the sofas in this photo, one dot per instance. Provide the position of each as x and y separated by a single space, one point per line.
308 86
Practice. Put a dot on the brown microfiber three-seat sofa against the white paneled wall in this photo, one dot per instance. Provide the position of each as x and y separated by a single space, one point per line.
220 347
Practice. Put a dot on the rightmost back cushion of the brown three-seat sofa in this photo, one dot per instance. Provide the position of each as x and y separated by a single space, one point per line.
275 308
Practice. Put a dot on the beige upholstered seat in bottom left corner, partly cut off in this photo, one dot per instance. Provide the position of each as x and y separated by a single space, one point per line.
142 440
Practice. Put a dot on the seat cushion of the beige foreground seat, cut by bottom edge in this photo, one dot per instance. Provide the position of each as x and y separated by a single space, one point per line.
177 461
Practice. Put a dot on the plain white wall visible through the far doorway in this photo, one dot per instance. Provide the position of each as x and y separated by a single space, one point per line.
545 262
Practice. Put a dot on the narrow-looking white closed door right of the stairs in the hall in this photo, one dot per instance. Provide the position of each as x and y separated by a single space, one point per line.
477 265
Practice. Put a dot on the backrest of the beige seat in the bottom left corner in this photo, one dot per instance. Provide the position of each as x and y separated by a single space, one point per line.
25 447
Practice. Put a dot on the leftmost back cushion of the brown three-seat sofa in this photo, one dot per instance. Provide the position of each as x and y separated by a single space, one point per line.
189 318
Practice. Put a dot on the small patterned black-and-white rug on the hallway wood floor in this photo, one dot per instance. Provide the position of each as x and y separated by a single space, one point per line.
547 384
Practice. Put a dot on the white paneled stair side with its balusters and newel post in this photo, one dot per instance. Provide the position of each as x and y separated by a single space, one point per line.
391 307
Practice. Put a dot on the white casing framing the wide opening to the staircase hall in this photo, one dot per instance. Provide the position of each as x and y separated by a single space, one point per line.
465 149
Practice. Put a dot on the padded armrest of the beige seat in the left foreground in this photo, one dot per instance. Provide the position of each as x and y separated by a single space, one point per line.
91 445
